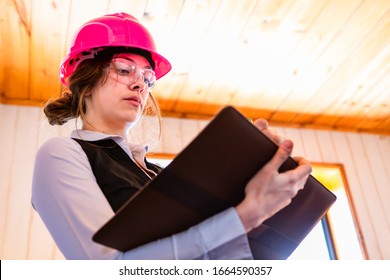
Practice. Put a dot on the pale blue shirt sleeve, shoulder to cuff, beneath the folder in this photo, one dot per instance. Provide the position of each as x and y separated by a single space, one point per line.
73 208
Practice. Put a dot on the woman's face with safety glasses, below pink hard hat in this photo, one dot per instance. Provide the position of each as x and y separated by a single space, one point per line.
122 98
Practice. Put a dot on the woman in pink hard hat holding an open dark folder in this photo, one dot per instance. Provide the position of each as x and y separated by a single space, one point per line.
80 181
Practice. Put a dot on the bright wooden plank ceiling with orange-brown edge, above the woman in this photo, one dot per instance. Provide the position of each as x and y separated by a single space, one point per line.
320 63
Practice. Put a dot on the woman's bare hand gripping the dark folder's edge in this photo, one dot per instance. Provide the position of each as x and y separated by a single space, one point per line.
270 191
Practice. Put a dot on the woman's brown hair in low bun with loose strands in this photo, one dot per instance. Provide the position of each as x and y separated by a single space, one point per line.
71 104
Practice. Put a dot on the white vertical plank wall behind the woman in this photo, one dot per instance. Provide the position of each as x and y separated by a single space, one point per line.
365 157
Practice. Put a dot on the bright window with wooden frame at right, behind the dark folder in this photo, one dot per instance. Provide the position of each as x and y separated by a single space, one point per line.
335 237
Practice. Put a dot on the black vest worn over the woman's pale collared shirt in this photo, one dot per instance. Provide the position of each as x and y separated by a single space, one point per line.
117 175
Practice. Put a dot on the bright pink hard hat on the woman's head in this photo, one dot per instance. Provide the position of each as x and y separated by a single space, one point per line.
113 30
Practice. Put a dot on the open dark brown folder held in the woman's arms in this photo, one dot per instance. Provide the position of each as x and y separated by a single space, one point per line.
209 176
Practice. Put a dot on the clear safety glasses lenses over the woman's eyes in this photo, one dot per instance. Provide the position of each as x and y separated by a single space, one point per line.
128 72
